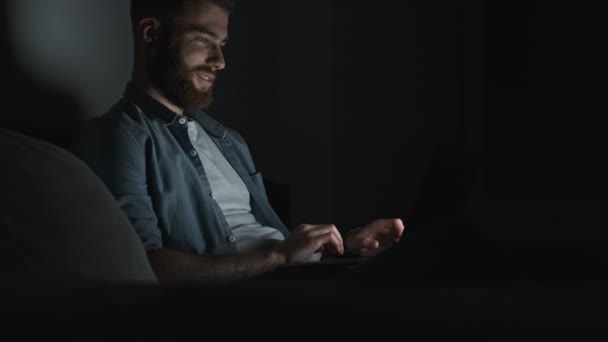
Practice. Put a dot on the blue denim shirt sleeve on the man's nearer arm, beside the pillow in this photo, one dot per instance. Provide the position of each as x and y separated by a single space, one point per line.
114 152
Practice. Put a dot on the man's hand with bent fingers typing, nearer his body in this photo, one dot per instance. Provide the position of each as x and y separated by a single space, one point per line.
305 240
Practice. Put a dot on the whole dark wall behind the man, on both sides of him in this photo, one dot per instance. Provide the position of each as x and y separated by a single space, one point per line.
356 110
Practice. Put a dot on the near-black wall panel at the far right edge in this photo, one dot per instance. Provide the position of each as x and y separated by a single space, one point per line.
544 112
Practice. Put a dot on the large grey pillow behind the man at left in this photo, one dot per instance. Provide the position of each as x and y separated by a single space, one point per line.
58 220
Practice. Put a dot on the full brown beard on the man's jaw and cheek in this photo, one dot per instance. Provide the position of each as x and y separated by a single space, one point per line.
175 80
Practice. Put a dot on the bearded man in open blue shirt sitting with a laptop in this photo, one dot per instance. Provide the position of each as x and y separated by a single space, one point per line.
187 183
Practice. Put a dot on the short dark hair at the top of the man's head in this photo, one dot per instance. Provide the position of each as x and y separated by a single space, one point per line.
163 9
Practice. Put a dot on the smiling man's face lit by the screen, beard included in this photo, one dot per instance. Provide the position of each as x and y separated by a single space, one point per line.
188 54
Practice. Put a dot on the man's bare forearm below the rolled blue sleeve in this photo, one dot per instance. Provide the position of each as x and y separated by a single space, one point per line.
173 266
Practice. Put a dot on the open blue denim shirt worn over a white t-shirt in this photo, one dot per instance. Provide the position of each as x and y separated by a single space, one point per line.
141 150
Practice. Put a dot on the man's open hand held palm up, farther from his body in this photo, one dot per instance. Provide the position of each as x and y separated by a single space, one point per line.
375 237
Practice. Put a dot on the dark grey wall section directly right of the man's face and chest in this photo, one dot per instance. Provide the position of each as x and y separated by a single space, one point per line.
278 91
